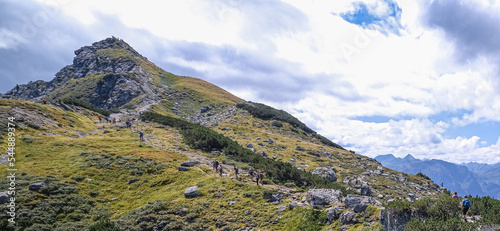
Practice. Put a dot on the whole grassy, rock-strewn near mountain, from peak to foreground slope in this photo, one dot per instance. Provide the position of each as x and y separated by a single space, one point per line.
114 142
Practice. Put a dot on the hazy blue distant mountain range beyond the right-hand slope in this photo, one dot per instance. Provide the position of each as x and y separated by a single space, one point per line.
467 178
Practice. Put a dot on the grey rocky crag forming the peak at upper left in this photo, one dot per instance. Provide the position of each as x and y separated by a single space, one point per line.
107 74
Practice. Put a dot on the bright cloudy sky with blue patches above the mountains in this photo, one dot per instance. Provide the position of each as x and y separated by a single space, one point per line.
375 76
